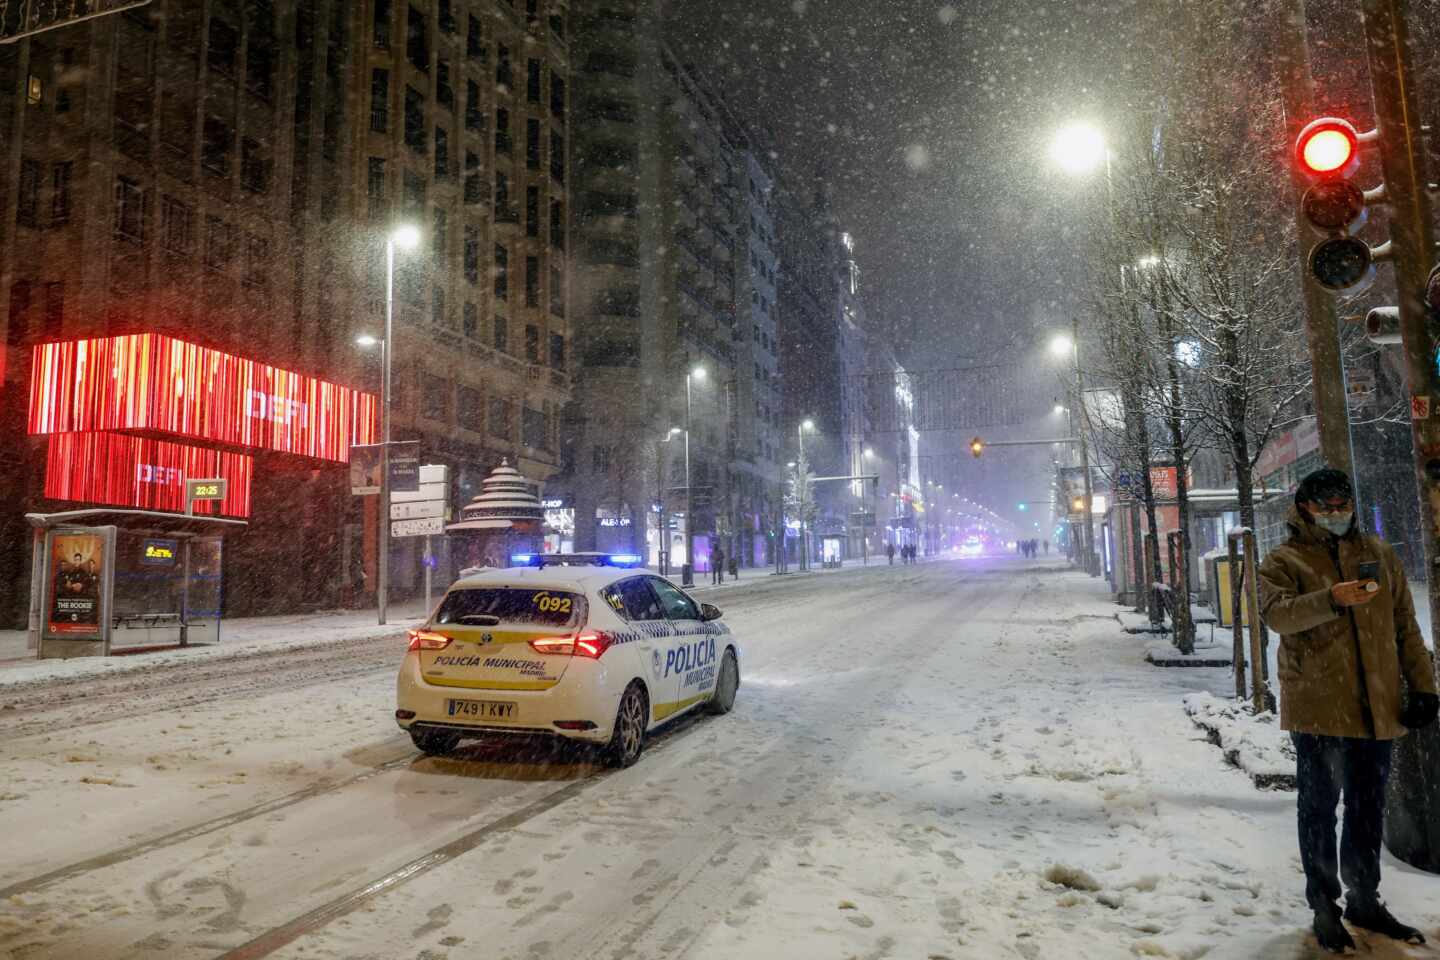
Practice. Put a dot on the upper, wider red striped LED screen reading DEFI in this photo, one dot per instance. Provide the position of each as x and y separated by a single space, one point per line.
149 382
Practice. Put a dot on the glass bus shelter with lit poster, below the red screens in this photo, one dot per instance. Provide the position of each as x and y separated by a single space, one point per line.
120 581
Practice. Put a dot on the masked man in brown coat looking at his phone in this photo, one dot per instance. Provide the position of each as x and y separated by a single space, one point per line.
1349 648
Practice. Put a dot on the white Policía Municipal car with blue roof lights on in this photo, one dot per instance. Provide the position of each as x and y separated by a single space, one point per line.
587 647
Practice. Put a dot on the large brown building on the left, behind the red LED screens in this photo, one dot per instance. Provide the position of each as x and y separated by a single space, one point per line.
214 181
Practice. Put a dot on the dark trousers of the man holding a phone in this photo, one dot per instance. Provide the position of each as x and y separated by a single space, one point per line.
1326 769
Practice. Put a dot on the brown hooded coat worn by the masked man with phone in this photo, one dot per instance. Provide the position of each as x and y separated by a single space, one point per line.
1340 669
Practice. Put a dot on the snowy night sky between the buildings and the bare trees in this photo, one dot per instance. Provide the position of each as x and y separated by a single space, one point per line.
932 120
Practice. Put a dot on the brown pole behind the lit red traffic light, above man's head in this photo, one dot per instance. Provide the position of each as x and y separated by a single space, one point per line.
1323 335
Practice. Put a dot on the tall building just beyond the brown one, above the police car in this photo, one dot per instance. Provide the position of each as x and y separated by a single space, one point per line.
662 263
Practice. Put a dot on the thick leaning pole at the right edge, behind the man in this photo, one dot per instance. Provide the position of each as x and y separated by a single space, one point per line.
1413 820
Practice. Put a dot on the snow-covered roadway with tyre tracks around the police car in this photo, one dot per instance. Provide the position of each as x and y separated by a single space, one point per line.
958 759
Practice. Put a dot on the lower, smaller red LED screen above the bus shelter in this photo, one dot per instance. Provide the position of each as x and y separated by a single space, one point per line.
136 471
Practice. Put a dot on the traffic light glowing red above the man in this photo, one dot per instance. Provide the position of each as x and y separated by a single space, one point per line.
1328 155
